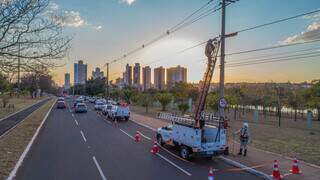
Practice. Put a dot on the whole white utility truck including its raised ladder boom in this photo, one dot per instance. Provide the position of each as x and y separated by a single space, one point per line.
203 135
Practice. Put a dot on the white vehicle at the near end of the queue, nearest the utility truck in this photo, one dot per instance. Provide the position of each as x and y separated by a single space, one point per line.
119 112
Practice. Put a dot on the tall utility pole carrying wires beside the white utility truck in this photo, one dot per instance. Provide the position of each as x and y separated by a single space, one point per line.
222 56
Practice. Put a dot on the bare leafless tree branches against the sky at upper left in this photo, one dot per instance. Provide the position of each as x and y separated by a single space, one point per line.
28 31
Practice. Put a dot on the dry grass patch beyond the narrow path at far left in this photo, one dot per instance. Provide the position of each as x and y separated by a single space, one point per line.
19 103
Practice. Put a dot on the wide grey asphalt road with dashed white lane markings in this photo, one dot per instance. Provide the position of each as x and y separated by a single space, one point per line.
87 146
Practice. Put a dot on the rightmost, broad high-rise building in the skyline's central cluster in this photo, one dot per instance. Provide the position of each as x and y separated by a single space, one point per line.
176 74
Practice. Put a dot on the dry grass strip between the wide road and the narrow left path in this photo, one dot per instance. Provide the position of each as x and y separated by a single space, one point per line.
13 144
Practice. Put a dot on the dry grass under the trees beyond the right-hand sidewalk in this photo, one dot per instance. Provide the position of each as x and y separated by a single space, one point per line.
291 139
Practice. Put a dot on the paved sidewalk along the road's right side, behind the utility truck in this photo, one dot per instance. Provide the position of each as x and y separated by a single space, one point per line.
257 159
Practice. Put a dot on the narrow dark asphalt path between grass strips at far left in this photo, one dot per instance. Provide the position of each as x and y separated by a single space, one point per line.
9 122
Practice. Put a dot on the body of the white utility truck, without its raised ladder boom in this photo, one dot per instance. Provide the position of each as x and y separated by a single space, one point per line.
207 142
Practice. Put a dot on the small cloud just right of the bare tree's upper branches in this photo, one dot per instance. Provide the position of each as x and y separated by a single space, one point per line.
70 19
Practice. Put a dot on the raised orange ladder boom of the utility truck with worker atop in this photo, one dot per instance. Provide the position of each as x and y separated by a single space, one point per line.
211 52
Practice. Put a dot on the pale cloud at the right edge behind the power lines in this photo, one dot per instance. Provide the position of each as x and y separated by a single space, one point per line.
312 33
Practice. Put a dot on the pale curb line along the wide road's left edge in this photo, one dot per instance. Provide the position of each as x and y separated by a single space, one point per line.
27 149
